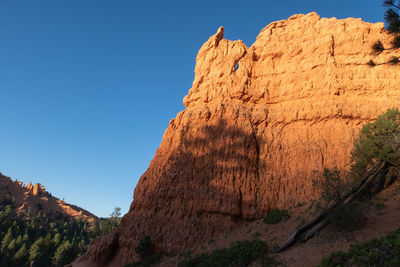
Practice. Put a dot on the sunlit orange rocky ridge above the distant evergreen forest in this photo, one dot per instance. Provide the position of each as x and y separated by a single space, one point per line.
35 198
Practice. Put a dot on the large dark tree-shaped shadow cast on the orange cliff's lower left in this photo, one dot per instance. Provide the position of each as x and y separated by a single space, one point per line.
204 187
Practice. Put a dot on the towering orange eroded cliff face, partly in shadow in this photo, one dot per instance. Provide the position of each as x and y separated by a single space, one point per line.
258 123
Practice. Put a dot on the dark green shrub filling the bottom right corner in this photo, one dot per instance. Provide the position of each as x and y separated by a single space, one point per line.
375 252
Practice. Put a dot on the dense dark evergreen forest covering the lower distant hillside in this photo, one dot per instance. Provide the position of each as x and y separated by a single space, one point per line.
42 239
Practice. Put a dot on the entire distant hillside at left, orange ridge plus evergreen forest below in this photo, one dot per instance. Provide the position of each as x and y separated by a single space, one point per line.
37 229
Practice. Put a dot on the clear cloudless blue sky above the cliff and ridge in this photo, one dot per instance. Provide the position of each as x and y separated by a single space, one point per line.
87 88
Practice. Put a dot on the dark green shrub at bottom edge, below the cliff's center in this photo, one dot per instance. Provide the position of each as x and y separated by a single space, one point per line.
240 254
